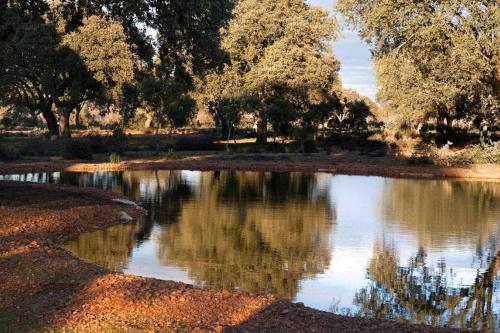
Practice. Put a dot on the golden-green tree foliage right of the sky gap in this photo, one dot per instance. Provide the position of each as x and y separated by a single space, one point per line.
435 59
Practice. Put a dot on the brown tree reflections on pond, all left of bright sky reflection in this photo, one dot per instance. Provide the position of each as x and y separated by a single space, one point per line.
258 232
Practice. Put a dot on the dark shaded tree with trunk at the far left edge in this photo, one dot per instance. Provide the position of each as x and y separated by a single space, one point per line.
48 75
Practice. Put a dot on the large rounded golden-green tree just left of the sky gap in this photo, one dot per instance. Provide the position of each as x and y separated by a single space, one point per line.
279 53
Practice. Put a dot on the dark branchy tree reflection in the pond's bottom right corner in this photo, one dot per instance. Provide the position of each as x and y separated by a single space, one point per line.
420 294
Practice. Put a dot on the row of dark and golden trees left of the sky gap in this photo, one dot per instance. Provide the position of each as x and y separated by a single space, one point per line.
270 60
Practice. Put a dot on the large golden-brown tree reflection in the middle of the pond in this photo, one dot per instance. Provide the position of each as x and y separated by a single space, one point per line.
257 232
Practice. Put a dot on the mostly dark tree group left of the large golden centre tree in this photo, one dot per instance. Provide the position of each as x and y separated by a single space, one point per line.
59 55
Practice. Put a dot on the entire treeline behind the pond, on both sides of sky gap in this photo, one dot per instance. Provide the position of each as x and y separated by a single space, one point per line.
437 64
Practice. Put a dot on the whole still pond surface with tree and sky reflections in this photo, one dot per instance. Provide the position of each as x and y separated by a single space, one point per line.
423 251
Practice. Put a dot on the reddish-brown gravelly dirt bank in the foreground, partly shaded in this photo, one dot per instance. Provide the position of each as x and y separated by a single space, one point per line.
44 288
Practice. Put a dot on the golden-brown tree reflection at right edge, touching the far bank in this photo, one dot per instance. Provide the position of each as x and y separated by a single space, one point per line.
439 213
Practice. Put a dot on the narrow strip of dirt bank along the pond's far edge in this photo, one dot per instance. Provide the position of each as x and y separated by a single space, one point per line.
341 163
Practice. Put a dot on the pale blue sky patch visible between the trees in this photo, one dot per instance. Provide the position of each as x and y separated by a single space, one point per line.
357 69
